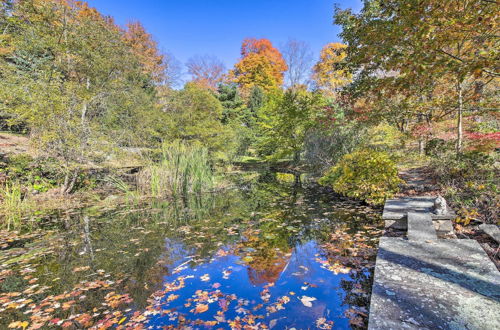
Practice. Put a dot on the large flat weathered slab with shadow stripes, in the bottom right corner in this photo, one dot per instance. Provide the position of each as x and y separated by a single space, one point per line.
441 284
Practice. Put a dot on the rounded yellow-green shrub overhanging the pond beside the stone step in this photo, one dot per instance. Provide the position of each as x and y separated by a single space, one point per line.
368 175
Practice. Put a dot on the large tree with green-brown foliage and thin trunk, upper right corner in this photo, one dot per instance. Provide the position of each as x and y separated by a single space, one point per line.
398 44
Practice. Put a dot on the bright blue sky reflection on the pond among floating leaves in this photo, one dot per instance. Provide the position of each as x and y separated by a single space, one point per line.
301 271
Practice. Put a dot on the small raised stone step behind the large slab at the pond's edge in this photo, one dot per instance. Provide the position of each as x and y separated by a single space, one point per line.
396 210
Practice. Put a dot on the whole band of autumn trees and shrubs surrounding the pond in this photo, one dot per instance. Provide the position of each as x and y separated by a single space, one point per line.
414 83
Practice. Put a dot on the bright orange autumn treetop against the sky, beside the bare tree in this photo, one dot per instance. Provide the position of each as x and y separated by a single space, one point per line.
260 65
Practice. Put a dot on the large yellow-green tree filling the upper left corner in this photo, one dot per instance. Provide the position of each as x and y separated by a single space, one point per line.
68 74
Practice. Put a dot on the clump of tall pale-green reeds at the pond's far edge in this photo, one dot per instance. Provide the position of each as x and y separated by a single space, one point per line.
182 169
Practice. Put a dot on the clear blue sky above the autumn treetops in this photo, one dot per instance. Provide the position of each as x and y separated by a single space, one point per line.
217 27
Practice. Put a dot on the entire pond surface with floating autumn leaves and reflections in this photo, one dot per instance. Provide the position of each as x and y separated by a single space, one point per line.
263 255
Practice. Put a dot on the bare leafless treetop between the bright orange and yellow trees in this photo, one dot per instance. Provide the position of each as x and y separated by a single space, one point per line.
298 57
